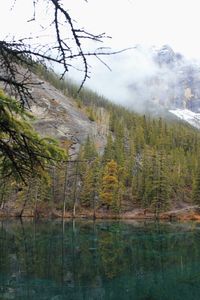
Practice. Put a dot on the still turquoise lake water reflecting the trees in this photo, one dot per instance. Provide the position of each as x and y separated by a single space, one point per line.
102 260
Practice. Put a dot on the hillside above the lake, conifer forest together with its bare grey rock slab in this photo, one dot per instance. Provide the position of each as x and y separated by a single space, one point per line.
120 163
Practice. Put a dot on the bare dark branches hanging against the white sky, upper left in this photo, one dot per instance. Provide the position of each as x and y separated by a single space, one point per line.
69 45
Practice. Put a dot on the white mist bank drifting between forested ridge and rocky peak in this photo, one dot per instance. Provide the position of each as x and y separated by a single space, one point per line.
132 79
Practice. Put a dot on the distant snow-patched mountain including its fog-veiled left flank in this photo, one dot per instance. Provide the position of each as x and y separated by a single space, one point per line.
173 84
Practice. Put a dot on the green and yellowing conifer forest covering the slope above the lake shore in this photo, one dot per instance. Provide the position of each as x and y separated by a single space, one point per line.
149 163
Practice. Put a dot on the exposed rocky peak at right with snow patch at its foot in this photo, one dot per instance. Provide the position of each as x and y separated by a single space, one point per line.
183 98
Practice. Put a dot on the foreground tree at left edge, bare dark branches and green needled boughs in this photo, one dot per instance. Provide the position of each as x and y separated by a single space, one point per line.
17 60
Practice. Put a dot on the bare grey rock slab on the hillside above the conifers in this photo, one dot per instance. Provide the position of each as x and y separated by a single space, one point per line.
59 116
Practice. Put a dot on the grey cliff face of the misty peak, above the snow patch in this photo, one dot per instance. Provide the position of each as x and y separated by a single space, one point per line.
183 82
